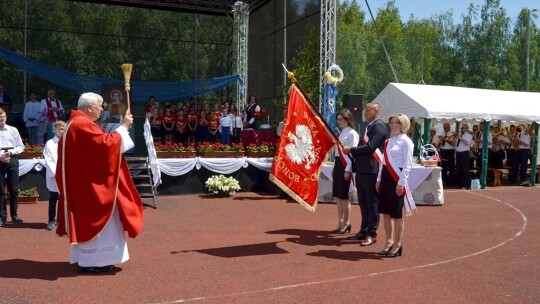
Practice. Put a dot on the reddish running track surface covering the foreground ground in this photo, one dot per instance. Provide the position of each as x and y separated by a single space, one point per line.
480 247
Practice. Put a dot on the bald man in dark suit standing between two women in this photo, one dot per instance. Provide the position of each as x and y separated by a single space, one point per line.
367 168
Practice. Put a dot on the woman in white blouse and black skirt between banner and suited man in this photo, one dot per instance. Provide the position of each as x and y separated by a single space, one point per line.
342 173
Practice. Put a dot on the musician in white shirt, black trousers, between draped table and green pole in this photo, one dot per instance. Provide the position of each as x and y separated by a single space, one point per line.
463 146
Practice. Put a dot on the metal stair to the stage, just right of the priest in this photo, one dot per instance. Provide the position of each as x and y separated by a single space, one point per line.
142 178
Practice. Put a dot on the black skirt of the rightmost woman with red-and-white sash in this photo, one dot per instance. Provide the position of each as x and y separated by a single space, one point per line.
389 202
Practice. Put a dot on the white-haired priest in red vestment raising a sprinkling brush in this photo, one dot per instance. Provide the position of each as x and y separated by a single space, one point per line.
98 200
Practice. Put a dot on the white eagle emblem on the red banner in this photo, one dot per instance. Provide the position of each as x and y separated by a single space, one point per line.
301 147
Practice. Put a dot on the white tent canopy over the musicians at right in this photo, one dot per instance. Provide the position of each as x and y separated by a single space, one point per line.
457 103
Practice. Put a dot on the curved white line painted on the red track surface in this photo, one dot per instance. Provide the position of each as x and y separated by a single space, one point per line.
524 218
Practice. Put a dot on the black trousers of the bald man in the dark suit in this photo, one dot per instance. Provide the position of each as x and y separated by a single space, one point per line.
368 202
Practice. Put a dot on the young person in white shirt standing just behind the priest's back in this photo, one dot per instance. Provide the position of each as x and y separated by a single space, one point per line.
50 153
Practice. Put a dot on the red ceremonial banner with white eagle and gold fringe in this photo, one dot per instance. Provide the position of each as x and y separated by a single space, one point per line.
304 145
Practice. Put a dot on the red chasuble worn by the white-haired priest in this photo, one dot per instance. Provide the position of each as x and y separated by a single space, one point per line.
92 176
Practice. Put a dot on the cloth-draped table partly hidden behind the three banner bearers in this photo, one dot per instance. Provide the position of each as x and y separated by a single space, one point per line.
424 182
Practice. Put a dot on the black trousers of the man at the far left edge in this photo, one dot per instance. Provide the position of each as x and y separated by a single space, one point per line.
11 171
